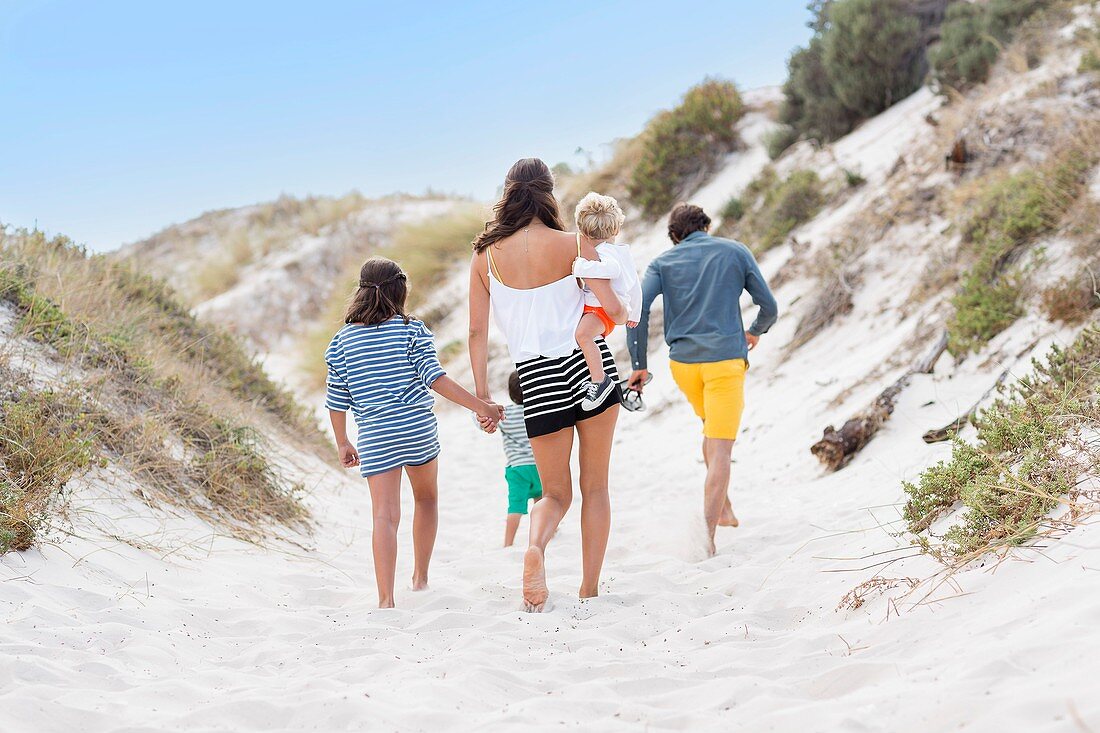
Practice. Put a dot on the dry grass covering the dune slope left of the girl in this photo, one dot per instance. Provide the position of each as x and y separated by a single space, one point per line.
170 399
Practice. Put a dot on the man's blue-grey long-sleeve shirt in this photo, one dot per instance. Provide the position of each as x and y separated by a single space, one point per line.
701 280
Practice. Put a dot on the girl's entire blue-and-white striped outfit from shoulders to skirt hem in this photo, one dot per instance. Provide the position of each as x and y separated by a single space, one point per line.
383 375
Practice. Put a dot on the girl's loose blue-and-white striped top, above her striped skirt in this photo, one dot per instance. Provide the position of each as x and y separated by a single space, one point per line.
373 369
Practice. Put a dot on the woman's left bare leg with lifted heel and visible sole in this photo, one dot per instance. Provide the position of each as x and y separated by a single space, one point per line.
552 457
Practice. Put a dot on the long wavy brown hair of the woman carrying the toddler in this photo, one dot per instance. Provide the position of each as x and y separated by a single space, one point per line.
529 194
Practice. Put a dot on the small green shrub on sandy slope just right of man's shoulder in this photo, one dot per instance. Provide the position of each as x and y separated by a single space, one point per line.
774 209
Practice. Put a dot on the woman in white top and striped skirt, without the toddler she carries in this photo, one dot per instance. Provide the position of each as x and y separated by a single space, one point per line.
523 266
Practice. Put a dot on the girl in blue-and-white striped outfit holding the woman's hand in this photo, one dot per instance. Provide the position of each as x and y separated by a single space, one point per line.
382 366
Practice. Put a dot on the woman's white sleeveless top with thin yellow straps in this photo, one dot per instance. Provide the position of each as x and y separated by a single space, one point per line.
537 322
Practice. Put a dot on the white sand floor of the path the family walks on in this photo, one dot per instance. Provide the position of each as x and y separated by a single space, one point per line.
219 636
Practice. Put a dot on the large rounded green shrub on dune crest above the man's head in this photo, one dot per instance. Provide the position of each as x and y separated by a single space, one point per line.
685 144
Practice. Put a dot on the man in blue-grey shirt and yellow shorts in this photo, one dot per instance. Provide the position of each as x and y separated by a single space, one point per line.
702 279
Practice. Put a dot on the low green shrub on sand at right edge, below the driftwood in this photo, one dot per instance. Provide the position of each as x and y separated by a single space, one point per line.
1020 468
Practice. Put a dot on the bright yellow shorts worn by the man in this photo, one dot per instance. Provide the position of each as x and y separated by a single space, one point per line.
717 391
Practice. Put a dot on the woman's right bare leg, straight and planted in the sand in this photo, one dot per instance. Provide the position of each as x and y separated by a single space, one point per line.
597 434
